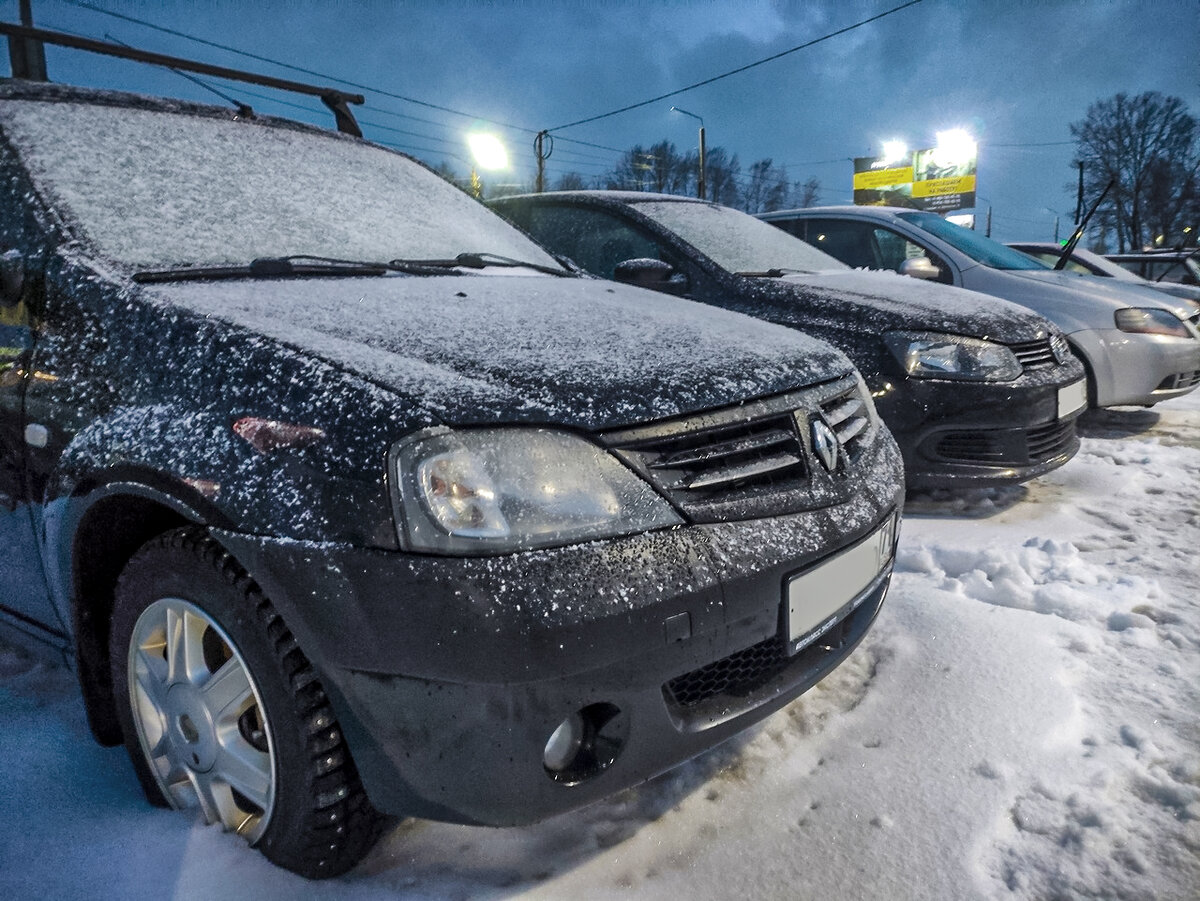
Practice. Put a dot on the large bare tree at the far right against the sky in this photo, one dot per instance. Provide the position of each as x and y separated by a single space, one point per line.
1148 145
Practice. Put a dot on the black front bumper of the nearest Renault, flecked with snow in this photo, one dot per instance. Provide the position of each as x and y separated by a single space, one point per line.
449 675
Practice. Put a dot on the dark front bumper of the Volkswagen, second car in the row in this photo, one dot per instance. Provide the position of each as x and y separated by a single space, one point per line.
980 434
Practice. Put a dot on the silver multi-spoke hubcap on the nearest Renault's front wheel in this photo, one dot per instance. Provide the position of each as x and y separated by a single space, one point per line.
201 719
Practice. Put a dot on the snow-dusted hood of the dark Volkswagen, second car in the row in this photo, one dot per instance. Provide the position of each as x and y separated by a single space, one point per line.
887 301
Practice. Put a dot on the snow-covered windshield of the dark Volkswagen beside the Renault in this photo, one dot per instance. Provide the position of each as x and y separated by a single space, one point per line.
736 241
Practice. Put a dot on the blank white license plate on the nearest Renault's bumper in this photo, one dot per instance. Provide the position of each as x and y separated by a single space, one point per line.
817 596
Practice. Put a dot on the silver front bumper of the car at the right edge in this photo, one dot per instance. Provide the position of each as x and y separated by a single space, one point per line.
1138 370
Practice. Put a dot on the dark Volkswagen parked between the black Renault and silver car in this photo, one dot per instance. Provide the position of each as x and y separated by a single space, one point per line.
975 392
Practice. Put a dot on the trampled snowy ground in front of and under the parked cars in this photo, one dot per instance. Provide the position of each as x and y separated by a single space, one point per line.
1023 723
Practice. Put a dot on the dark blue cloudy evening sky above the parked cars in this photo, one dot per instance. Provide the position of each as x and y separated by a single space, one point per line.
1016 74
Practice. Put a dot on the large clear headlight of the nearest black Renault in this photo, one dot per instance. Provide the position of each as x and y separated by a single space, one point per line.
496 490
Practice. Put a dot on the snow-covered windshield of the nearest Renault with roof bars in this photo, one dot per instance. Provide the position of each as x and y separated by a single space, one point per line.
161 189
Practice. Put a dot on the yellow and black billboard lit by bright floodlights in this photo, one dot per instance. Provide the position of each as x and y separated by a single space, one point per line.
923 181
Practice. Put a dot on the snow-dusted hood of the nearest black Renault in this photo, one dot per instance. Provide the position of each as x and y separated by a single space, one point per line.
476 349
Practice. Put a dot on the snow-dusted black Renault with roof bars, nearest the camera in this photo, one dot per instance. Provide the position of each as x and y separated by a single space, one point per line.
425 524
